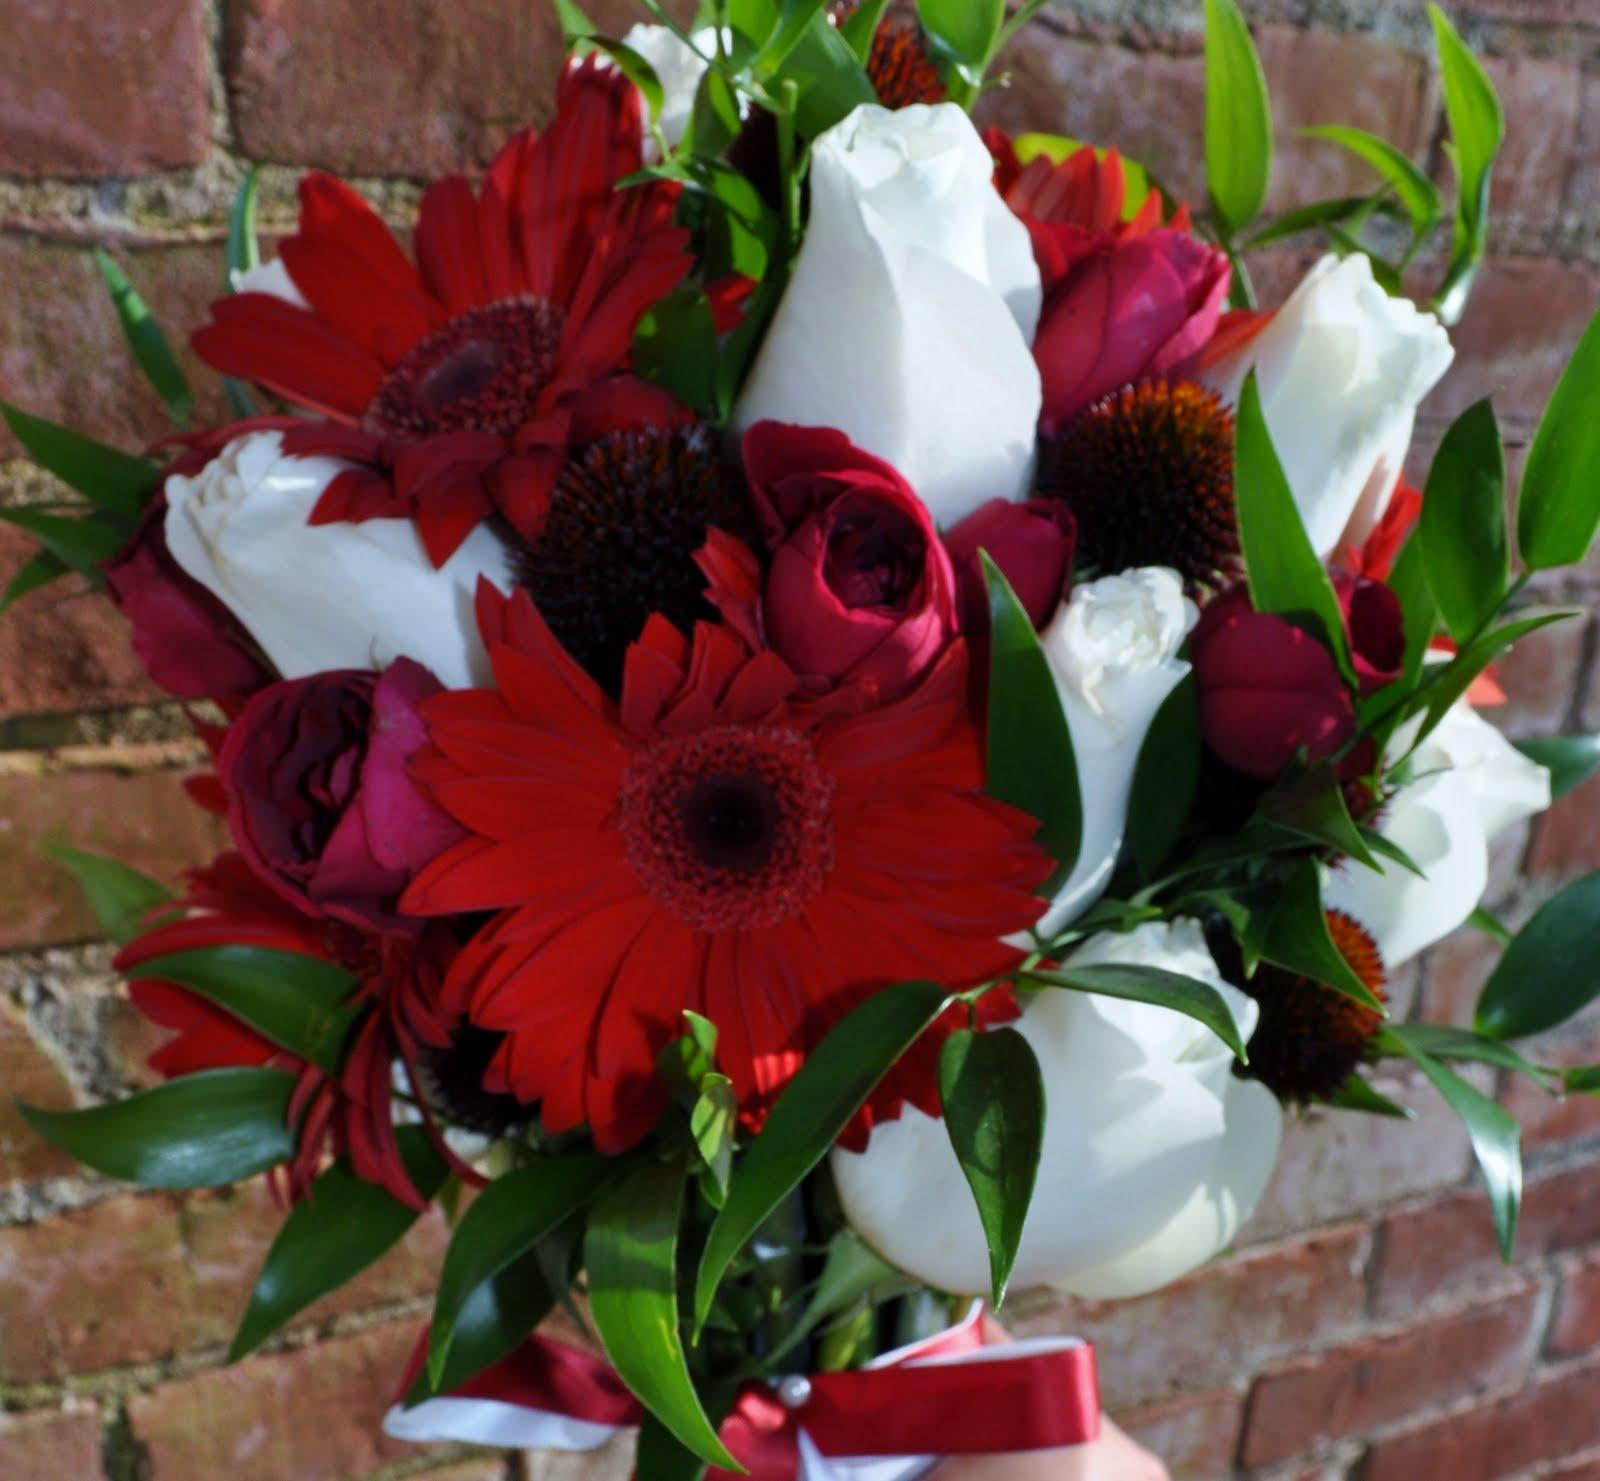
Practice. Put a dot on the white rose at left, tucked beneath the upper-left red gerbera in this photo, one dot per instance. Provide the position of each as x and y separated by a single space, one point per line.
324 597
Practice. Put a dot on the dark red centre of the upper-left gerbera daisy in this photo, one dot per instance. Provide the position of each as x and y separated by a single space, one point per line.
479 373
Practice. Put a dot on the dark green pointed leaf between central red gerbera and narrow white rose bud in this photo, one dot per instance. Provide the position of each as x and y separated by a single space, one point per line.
1031 759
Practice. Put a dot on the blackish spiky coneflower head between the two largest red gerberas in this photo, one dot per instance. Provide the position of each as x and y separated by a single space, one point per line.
620 538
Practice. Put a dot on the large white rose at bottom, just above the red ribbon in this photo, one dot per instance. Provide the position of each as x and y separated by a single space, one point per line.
1154 1154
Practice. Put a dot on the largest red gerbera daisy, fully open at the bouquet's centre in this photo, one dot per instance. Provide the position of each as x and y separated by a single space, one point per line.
713 842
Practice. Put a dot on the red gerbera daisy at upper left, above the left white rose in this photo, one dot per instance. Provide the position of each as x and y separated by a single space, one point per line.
450 381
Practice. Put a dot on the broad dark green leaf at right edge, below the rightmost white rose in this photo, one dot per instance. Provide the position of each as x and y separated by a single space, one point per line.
1551 970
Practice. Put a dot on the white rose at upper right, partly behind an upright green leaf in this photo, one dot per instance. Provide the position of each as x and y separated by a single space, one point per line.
1343 369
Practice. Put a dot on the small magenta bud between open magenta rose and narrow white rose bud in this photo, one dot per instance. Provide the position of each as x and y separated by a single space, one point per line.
1031 543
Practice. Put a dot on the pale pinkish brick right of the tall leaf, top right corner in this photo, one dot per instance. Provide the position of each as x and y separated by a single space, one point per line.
1543 100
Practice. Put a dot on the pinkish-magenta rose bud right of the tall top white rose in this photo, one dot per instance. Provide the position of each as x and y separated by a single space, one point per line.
1119 313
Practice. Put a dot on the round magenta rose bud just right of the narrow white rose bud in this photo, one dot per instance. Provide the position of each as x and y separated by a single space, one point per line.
1268 689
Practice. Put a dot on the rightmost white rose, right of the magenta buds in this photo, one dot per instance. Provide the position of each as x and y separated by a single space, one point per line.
1470 786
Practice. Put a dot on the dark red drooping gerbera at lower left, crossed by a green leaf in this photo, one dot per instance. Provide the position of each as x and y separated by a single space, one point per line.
401 983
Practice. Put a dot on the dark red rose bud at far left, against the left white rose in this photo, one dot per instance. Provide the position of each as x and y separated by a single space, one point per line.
190 644
